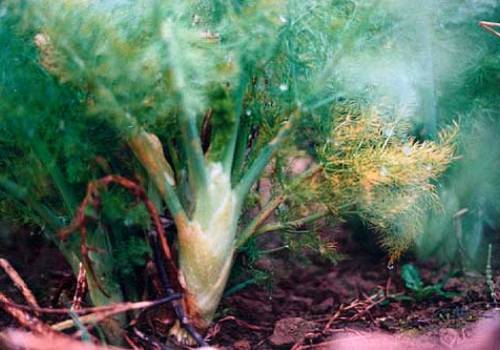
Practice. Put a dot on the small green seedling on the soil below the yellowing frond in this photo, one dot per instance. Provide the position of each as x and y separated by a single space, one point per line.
420 291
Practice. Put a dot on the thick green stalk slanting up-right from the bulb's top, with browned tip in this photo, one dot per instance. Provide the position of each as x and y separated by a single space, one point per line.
265 156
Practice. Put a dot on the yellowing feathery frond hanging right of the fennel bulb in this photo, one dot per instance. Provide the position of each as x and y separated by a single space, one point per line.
374 170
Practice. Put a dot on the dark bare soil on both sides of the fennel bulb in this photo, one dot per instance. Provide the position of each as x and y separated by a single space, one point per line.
306 305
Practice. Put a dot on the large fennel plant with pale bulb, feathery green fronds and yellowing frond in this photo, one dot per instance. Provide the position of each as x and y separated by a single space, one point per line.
194 100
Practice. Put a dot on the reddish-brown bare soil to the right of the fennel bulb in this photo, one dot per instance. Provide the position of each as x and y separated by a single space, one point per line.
312 304
